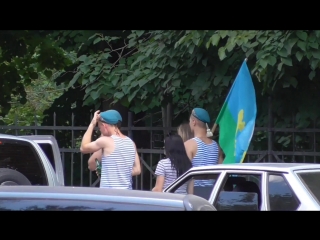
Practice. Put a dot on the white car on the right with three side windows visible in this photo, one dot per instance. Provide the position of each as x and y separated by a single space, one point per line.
256 186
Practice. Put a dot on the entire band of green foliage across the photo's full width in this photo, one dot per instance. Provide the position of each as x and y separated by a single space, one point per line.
146 70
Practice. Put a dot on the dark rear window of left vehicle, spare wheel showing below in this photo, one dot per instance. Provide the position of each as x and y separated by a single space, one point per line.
21 156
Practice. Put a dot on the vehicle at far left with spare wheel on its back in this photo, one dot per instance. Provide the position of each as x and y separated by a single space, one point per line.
30 160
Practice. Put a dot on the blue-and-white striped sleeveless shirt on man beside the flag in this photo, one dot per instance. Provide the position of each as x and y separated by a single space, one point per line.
207 154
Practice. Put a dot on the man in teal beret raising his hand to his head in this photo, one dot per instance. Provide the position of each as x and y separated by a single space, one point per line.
119 153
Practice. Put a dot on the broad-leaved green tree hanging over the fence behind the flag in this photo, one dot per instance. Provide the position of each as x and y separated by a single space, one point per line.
152 69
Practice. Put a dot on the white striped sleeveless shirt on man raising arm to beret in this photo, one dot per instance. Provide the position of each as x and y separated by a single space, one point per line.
116 168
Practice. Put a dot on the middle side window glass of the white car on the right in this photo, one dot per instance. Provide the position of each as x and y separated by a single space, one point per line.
239 192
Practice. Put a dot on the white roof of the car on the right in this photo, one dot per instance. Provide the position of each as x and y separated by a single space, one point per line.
275 167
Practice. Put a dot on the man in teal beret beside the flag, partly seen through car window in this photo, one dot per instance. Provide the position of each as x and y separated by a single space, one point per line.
202 150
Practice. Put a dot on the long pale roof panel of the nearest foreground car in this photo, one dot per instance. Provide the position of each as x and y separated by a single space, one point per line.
94 194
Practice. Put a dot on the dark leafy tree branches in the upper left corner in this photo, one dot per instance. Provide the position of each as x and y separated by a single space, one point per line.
24 54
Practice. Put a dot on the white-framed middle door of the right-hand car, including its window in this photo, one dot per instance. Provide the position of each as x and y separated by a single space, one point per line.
245 188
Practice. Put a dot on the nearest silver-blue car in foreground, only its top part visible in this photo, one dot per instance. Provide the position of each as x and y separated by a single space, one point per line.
60 198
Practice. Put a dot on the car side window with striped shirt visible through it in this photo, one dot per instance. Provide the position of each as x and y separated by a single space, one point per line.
197 184
